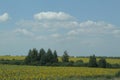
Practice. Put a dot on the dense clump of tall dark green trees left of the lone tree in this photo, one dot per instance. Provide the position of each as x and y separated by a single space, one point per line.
41 57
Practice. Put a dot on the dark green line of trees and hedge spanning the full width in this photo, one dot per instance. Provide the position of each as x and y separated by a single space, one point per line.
50 58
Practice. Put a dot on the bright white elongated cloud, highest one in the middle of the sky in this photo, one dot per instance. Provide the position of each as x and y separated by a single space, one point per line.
52 16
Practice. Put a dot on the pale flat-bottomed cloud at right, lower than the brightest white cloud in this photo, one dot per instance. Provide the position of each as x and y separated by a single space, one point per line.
94 28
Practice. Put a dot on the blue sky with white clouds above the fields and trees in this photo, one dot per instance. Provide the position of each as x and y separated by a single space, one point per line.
82 27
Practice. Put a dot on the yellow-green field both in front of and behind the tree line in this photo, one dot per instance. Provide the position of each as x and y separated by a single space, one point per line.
22 72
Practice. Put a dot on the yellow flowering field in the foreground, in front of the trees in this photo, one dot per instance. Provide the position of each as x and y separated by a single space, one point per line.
14 72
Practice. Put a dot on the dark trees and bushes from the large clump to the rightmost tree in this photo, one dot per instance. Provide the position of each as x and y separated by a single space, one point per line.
42 57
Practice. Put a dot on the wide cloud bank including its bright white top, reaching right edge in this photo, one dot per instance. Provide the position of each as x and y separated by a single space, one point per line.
58 24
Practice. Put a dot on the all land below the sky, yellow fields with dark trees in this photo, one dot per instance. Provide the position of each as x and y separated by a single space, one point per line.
46 65
